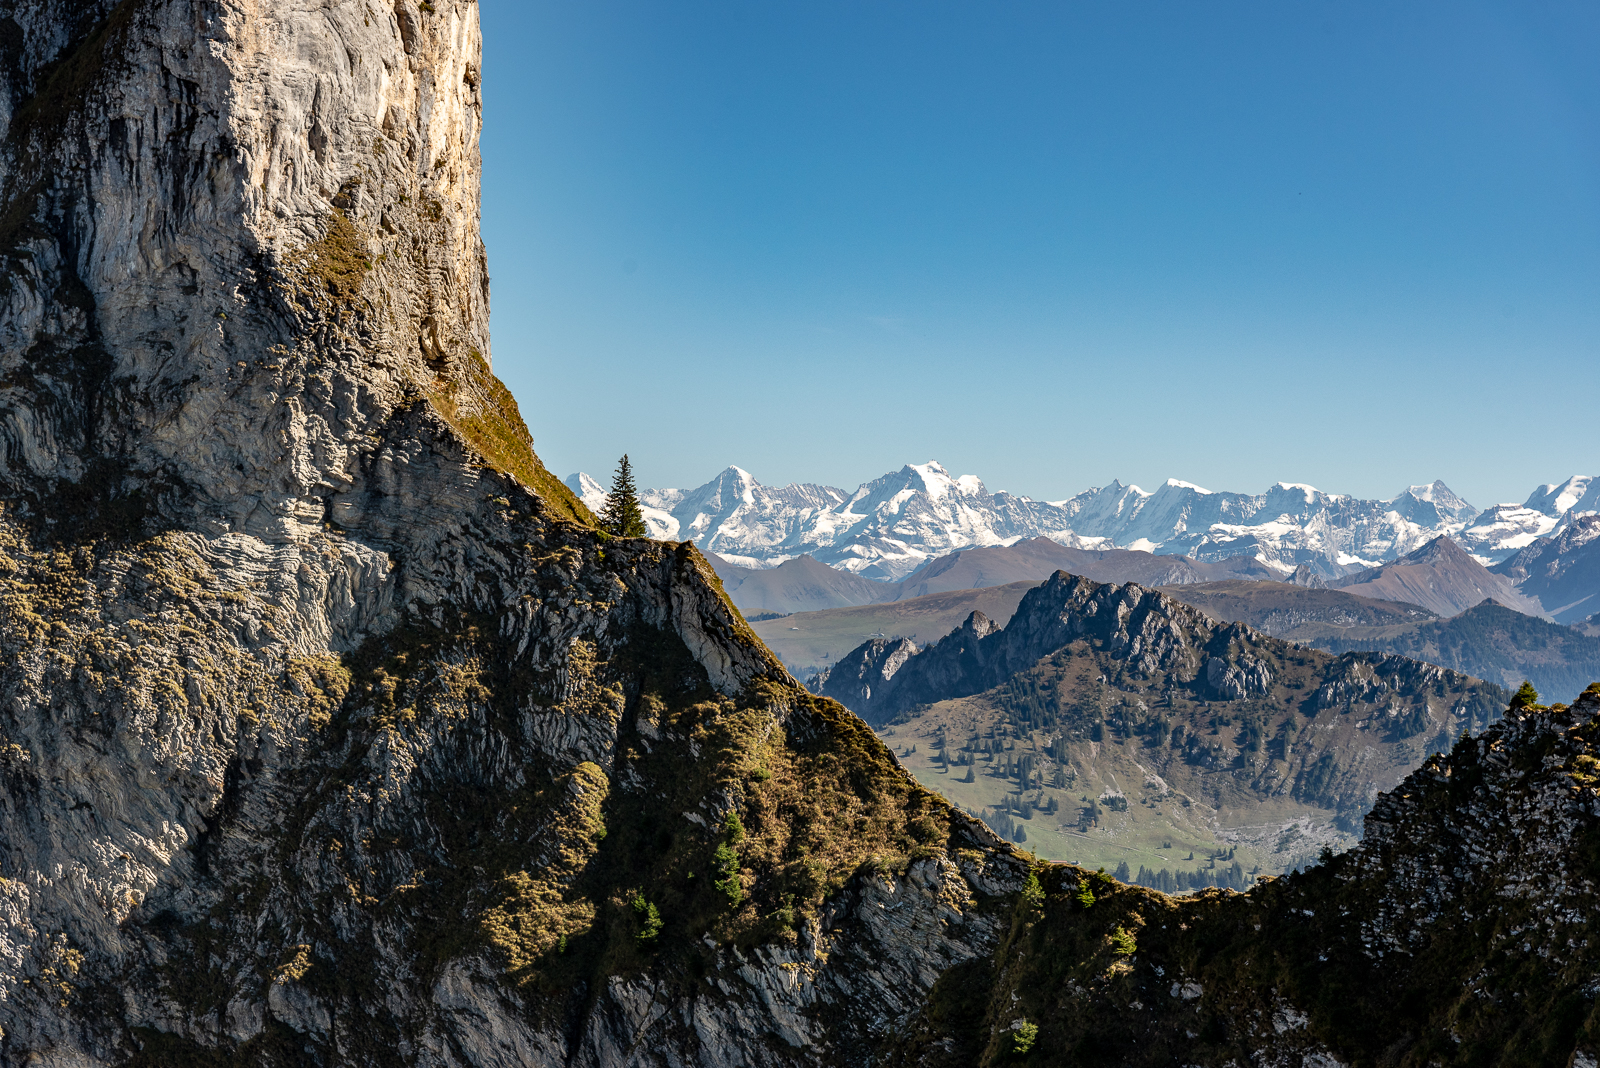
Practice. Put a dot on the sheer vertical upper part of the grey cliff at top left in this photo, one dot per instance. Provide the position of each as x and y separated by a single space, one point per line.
239 237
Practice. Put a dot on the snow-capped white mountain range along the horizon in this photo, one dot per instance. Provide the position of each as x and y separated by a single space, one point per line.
892 525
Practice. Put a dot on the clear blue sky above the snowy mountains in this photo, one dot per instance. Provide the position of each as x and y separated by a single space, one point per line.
1354 245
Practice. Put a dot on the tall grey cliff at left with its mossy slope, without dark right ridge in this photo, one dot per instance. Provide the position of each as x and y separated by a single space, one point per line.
311 714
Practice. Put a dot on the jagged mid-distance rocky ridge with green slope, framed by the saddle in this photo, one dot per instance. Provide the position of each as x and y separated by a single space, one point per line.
1225 733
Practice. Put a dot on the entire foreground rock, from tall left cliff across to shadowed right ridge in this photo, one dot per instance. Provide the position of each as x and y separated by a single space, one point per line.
334 733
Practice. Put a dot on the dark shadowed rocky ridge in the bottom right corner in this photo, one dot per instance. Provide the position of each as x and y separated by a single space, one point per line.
1457 934
